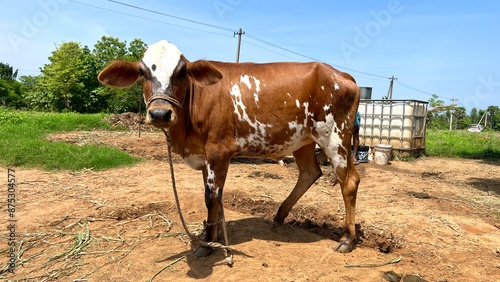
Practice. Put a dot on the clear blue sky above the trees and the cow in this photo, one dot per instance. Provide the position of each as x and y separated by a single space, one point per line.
442 47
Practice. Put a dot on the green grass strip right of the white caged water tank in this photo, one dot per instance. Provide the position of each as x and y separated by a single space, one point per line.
463 144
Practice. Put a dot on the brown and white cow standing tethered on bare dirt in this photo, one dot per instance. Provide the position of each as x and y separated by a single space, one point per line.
216 110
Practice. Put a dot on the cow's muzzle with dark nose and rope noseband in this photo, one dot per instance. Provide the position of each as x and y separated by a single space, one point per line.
162 114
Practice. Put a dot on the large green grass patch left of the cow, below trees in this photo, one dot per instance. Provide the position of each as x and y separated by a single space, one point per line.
23 142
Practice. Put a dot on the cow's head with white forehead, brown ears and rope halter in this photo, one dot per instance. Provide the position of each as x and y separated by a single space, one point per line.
165 75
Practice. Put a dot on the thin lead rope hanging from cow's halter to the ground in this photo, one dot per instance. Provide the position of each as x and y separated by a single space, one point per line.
192 237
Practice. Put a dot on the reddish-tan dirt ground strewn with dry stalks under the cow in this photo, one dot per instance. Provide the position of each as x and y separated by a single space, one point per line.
437 219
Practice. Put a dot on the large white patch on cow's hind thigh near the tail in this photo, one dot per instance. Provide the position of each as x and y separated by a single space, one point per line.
329 139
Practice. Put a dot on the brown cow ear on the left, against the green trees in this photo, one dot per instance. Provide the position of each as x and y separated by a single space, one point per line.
120 74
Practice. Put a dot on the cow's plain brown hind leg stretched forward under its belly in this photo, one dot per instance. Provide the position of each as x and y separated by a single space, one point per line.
309 172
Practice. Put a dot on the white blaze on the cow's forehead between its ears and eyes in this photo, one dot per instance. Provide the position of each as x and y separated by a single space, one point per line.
161 58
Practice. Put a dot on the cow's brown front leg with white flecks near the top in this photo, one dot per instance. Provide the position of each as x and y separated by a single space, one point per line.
214 177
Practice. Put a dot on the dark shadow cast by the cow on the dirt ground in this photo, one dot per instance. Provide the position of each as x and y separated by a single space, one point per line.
246 230
